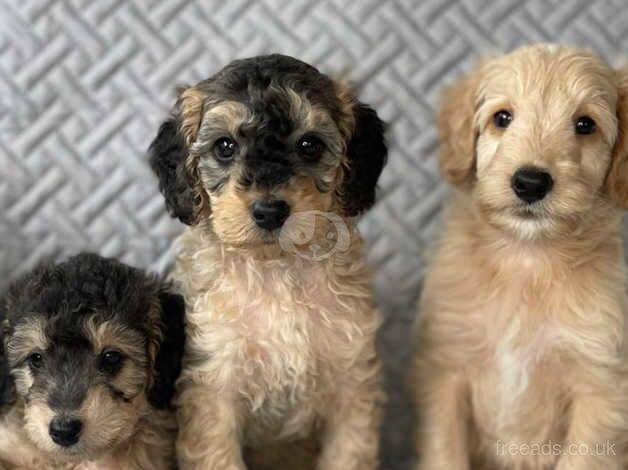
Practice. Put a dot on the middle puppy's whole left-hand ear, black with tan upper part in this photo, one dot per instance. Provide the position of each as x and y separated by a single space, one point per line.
168 157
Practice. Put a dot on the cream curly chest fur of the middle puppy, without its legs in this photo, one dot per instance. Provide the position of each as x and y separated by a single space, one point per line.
279 331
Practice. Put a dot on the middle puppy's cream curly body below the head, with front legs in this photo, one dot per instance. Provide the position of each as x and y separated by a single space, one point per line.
278 349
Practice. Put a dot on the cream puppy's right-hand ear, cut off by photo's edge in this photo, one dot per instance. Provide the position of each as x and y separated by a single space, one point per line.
617 178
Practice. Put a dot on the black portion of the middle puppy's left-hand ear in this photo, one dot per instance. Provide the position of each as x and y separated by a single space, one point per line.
167 156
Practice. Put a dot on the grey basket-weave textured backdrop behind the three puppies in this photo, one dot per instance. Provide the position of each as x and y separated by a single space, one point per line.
84 85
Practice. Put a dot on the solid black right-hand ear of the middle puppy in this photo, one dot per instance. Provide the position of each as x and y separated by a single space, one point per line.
367 153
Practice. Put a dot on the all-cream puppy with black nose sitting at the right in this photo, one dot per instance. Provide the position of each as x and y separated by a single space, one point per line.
521 360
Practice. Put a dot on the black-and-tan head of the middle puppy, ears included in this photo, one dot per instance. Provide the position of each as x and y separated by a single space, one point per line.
264 139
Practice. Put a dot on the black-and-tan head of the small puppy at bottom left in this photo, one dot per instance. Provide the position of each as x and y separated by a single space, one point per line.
90 343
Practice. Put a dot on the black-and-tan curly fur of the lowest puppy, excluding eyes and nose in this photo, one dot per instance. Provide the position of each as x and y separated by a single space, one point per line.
70 313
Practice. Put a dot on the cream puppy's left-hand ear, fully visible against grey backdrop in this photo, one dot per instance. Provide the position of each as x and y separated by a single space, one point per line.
457 130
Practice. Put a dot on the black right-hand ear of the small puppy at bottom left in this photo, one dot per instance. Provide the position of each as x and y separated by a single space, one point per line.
167 362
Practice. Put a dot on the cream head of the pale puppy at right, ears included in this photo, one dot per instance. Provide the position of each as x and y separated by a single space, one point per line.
537 136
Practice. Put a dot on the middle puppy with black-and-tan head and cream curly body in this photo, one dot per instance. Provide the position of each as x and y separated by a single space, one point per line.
268 162
